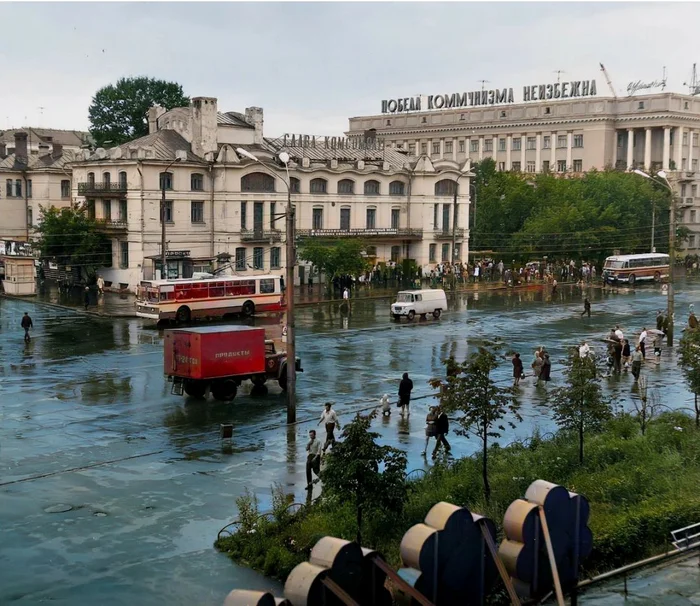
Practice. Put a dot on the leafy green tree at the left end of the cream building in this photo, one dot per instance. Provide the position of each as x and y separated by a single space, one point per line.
70 237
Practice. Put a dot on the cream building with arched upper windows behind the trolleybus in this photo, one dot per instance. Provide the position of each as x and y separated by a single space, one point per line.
222 207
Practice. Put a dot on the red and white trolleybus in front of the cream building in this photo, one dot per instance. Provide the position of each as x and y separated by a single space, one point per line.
184 299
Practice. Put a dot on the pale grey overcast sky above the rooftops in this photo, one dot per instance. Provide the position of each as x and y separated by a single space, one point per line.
313 65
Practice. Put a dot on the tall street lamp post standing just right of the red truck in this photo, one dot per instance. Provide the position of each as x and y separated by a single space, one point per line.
291 261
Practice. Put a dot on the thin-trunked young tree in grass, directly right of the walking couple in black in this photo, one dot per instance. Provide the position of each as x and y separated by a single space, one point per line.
468 389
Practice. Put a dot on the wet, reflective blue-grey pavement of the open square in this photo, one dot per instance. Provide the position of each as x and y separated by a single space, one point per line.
113 490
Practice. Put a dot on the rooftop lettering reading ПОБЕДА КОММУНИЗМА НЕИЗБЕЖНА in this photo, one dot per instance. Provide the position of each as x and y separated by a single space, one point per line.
496 96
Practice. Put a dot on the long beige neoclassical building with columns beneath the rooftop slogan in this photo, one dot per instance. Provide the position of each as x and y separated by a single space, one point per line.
564 135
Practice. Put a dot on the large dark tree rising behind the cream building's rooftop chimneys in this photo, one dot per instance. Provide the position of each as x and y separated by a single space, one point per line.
119 112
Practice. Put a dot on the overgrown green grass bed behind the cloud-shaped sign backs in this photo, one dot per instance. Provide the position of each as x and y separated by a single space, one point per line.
639 487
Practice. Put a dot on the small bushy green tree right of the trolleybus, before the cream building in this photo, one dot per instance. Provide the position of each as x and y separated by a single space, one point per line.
335 259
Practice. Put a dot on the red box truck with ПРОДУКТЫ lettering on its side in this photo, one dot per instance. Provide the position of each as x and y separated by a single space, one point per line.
220 358
